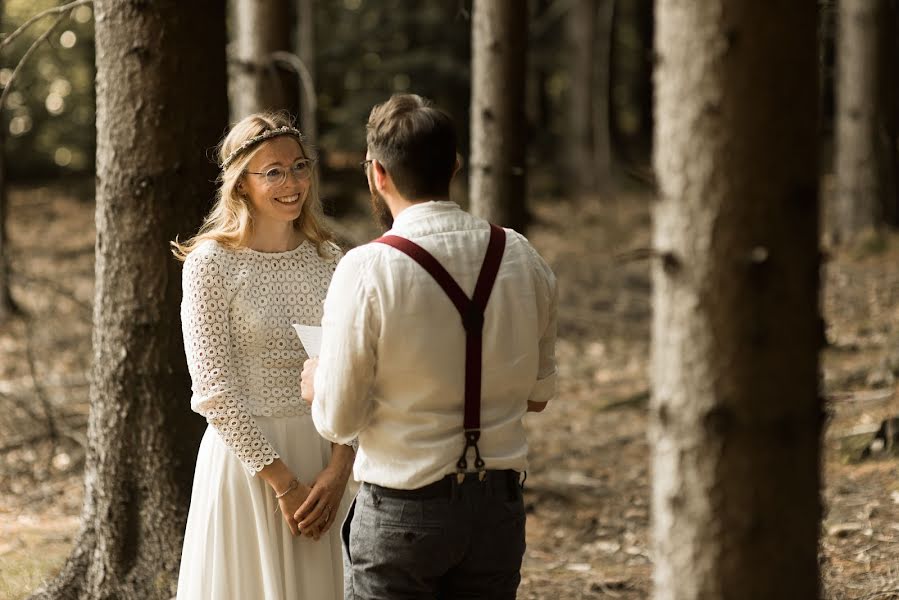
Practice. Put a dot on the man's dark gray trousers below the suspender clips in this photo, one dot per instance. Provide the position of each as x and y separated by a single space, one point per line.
465 543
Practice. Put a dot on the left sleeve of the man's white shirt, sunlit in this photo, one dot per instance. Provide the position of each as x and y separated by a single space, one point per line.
350 329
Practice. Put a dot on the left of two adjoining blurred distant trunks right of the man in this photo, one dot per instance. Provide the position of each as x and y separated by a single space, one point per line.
581 29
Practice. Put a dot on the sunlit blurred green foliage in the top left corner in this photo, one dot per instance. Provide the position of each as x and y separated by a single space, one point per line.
49 117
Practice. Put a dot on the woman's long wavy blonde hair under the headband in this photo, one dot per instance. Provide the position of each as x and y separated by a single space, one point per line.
230 222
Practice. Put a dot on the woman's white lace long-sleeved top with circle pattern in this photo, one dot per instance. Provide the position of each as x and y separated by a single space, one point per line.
244 356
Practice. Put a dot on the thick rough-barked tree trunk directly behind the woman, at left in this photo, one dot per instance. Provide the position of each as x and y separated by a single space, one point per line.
158 110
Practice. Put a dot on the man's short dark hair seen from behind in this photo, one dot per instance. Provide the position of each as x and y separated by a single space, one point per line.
416 144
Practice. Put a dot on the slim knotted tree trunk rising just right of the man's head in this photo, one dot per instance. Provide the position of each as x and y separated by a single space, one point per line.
498 126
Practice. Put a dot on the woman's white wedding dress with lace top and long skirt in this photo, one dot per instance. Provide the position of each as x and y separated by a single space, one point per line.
245 362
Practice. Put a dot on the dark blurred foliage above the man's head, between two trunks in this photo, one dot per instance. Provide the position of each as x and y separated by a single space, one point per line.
370 50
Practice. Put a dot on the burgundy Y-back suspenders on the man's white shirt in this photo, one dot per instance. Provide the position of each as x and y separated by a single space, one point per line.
472 312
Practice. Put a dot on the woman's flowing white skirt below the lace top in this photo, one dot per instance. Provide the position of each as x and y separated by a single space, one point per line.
236 546
